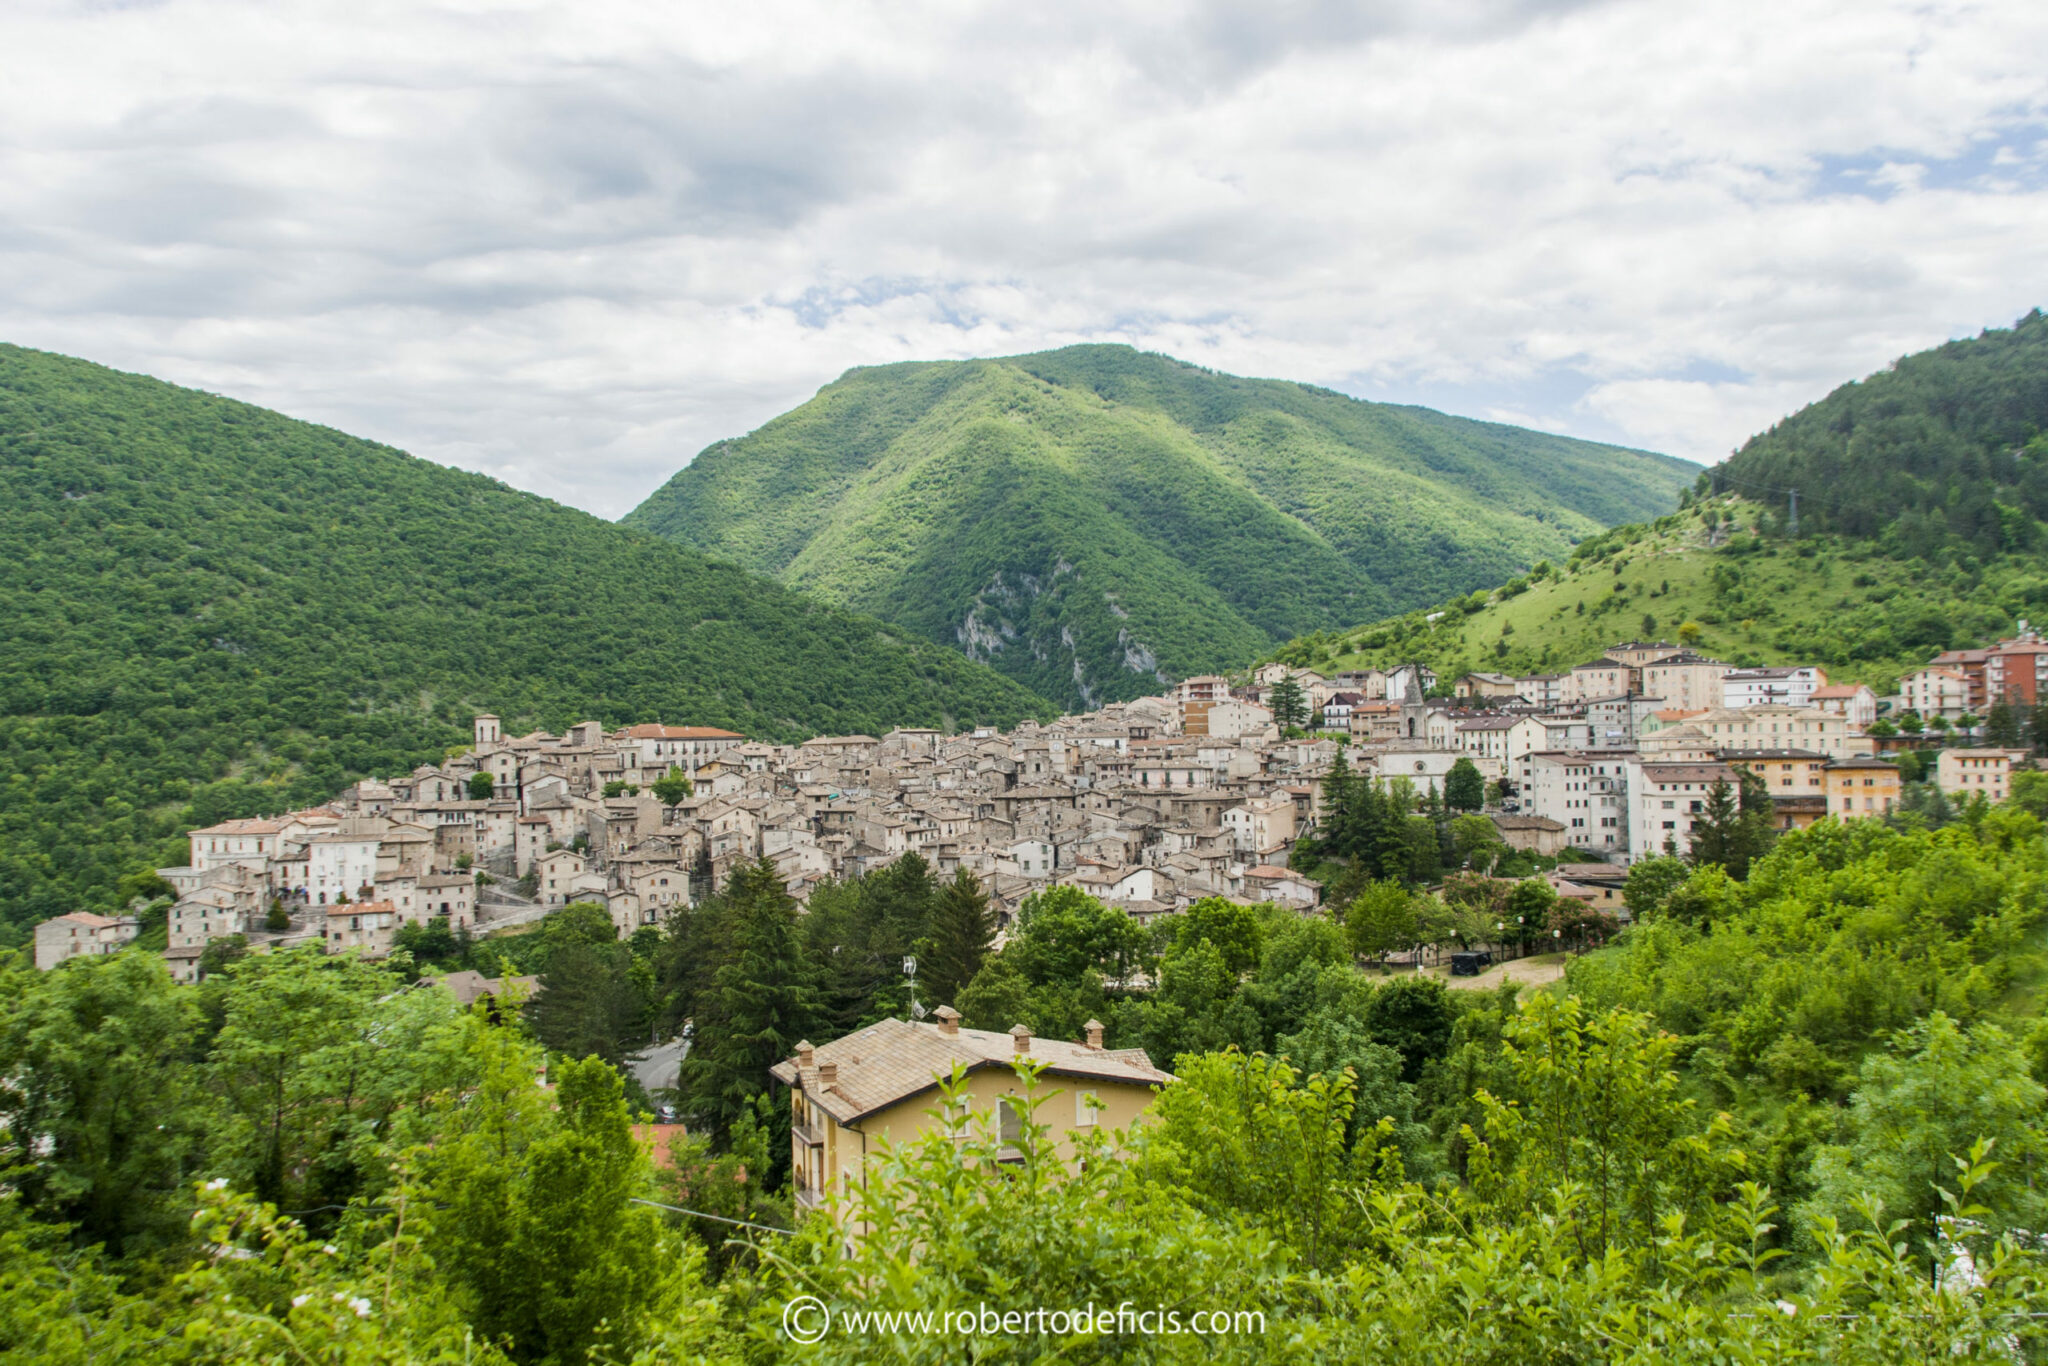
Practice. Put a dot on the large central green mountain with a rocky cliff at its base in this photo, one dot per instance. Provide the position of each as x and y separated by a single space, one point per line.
1095 519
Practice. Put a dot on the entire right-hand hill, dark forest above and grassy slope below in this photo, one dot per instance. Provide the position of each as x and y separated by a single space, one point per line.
1920 527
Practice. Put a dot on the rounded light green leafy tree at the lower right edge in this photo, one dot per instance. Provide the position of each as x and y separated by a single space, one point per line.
1918 1109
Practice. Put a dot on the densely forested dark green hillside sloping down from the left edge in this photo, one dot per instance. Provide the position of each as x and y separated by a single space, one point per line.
214 611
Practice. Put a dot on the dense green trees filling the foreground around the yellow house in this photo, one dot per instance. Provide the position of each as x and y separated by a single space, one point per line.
1793 1113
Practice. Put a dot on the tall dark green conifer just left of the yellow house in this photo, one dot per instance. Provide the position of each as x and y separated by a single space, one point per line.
763 1000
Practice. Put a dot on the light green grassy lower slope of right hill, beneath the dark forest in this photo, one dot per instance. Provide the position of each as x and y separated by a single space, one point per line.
1834 601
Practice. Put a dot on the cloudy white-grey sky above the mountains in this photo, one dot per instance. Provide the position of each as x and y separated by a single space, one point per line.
570 245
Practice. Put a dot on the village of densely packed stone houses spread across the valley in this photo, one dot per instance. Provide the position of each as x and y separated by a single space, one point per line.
1148 806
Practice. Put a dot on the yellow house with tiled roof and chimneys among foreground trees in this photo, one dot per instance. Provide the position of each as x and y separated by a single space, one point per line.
880 1084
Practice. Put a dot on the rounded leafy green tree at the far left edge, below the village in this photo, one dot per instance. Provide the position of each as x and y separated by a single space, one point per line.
101 1119
